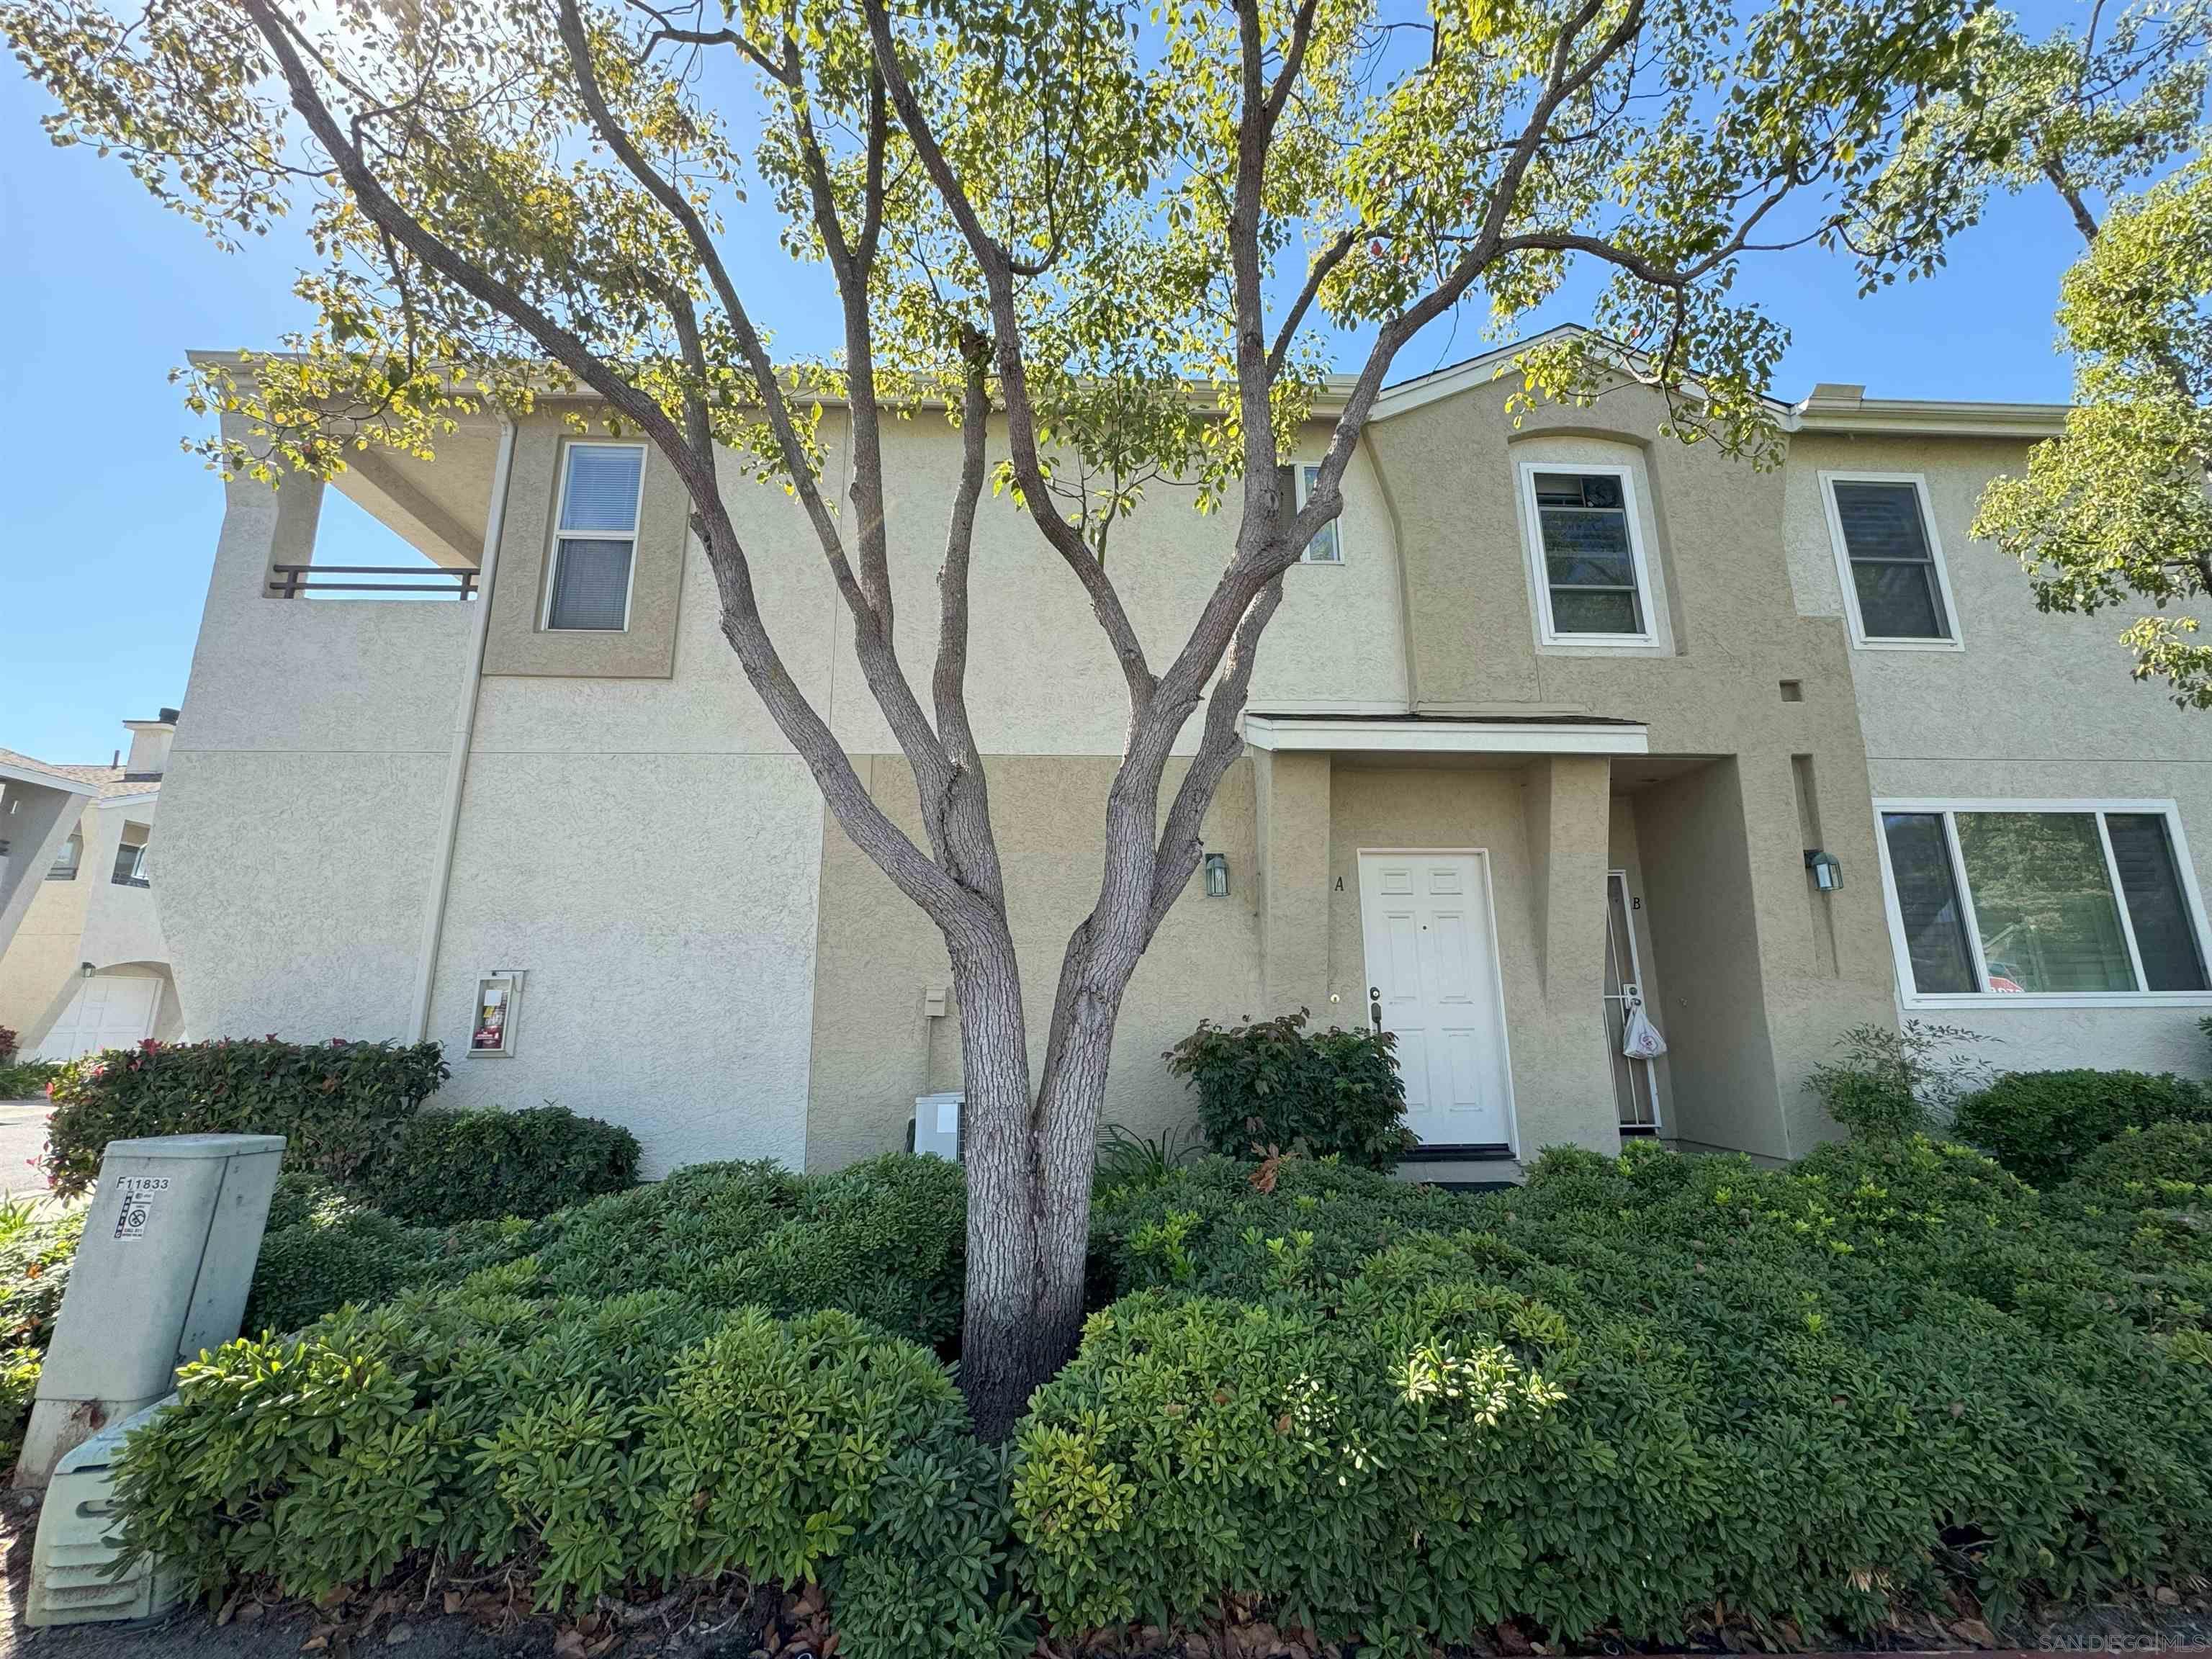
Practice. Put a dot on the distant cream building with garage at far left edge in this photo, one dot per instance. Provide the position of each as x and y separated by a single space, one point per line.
83 966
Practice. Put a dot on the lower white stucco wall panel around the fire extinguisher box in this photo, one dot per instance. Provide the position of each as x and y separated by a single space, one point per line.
665 912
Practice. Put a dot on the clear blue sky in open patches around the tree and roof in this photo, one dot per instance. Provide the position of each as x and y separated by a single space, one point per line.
105 561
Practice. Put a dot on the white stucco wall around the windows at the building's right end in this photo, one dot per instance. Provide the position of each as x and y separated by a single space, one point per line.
2034 707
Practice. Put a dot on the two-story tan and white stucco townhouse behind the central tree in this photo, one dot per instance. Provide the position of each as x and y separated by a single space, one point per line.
1558 713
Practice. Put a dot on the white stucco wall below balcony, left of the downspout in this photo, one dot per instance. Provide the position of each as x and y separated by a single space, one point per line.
300 808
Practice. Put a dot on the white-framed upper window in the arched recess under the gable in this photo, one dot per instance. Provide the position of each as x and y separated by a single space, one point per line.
1587 552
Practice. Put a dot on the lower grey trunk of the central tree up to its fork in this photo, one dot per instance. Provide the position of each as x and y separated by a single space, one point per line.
1030 1191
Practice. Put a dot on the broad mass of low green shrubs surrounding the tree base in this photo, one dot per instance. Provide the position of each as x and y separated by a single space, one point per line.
1642 1399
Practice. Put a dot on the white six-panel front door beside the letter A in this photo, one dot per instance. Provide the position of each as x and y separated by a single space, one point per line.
1432 981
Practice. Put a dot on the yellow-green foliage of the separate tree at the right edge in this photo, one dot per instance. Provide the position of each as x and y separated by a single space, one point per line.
2114 512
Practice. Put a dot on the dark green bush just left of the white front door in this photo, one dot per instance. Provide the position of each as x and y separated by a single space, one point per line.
1277 1085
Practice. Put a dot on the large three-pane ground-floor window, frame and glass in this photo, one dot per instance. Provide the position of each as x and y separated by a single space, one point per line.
2060 901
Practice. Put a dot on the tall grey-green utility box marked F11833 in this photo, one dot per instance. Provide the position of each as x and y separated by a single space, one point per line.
163 1273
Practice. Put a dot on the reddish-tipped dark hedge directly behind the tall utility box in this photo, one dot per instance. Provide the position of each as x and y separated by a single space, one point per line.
337 1105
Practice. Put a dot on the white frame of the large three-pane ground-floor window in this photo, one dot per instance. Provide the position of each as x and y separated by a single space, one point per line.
1950 806
